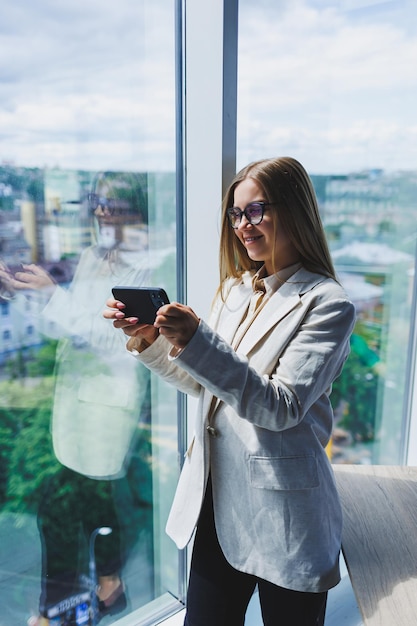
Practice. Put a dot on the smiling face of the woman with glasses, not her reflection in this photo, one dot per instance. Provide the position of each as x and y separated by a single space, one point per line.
260 241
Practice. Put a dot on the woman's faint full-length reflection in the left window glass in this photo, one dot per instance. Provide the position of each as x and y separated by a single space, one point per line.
100 414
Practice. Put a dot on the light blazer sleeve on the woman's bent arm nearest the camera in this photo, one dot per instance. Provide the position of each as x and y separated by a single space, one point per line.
311 358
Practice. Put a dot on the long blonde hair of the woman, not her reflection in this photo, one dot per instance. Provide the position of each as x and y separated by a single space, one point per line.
285 183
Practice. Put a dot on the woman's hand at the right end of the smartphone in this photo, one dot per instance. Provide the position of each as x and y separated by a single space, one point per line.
177 323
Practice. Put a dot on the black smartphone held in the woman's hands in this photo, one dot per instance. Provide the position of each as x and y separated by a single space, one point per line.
141 302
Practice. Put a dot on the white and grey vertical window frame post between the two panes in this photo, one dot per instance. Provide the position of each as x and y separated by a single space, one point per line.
206 123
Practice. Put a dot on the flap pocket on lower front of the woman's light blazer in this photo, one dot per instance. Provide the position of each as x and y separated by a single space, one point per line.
283 473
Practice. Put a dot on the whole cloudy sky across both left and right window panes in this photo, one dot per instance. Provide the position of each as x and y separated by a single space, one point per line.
90 84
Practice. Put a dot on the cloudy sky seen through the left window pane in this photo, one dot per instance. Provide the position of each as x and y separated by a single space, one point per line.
88 85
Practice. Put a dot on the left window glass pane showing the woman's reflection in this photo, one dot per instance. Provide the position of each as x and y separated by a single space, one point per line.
88 439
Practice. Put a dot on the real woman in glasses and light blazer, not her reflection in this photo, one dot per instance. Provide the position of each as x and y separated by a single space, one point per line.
256 480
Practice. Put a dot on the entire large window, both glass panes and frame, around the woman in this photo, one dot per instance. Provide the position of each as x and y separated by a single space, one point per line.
88 190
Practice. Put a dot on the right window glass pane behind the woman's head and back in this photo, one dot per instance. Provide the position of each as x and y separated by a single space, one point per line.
332 83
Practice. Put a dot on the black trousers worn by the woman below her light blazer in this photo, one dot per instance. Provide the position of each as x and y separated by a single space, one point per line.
218 594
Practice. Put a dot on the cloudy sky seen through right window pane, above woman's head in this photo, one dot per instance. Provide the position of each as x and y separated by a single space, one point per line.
331 87
